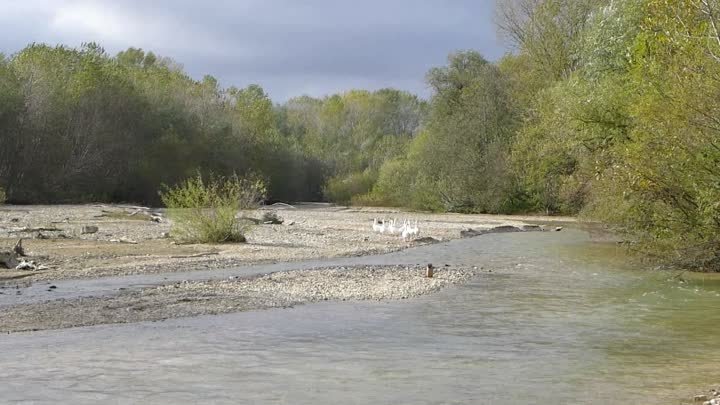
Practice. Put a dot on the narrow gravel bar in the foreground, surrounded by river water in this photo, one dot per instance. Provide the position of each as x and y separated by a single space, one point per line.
275 290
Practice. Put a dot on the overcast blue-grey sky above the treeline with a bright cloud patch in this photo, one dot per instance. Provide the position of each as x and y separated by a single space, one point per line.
289 47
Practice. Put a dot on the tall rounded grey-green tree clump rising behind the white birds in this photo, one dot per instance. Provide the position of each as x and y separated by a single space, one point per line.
459 163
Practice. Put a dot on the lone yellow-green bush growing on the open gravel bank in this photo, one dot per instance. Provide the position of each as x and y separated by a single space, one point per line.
206 212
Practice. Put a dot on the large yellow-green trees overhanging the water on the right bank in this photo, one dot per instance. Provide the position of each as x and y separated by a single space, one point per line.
628 135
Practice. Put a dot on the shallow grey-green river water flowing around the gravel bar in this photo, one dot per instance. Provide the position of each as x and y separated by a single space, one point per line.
559 320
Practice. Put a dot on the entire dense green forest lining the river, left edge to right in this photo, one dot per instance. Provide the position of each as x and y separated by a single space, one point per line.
605 109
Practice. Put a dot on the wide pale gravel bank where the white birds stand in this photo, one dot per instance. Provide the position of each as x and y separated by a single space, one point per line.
127 241
